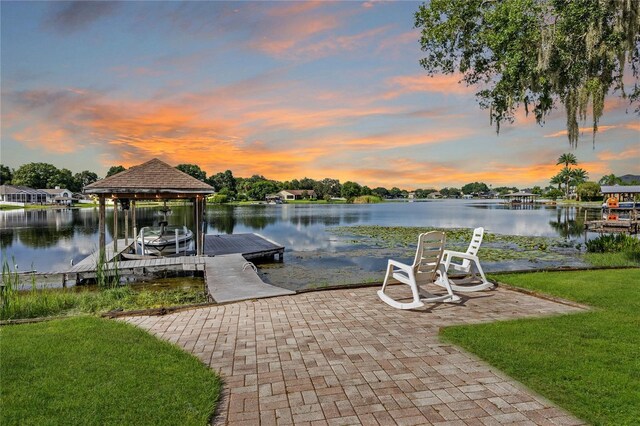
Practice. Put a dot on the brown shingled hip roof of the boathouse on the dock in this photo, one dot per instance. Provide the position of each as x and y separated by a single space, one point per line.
154 177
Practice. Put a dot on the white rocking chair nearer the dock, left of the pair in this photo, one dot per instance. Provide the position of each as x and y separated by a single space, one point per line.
426 267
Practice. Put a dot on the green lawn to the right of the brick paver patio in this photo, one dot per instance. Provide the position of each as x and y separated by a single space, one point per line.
588 363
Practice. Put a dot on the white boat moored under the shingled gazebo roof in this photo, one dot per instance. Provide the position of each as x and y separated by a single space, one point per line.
163 240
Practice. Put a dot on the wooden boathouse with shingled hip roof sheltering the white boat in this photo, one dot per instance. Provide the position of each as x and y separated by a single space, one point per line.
153 180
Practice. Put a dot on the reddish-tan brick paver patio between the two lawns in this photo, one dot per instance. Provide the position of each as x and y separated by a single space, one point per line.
344 357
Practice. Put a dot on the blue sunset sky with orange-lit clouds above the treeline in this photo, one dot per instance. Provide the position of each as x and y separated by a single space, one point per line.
282 89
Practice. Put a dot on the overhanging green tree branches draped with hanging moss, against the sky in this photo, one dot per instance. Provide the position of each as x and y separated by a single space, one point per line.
535 53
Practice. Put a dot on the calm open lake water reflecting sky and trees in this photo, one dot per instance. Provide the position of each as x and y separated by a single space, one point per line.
47 240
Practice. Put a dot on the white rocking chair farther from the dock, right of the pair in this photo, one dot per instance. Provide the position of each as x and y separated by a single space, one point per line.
470 256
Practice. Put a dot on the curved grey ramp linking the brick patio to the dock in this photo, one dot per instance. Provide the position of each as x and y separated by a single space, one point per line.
227 281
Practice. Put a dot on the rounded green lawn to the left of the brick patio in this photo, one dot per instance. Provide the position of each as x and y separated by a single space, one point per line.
92 371
